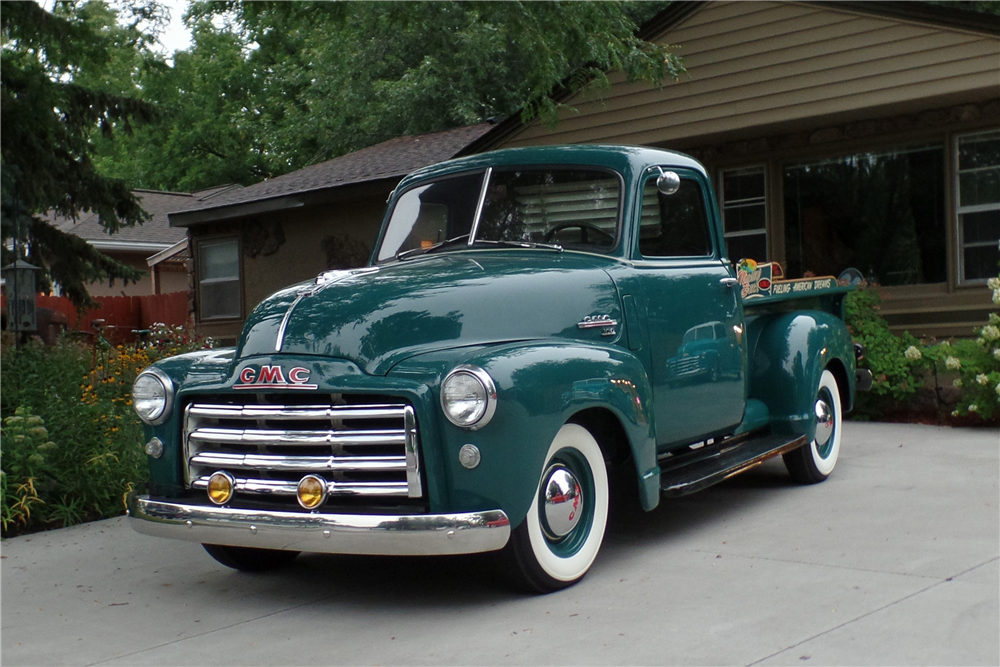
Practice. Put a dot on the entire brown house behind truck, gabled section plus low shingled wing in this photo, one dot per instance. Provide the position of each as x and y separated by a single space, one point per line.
839 135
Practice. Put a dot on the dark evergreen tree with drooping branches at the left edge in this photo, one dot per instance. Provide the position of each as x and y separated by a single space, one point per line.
49 119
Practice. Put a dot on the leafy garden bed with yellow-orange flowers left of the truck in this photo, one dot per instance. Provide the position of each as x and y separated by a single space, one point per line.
92 452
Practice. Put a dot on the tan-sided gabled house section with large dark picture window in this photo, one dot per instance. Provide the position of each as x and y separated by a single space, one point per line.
839 135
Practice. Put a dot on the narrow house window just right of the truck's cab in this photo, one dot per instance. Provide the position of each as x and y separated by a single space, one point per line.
744 213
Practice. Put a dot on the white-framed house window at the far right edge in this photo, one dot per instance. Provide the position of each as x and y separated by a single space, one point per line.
978 191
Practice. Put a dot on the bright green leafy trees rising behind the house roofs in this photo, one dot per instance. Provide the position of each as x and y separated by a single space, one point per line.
280 86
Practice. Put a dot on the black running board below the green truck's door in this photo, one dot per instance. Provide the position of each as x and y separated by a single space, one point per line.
700 469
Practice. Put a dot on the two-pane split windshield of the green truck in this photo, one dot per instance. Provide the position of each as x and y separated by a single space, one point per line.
575 207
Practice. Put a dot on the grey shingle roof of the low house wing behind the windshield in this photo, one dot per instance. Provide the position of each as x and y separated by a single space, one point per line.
396 157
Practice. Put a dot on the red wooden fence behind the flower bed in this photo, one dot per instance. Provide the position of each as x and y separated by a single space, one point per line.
121 314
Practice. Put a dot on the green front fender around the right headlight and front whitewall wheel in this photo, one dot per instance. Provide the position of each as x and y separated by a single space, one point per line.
540 386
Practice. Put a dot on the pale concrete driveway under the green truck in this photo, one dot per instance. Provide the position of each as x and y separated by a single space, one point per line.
893 560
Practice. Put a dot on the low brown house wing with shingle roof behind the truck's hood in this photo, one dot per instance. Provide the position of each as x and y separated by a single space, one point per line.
248 243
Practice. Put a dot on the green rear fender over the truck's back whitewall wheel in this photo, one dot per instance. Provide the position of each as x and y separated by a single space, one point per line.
789 354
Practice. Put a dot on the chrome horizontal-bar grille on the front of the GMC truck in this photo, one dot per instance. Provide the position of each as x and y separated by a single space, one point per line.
366 450
